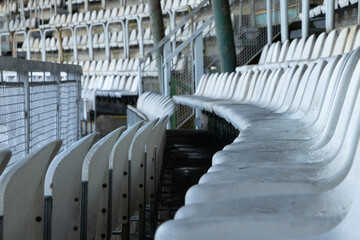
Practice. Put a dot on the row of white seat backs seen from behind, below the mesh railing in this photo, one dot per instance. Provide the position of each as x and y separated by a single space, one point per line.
85 192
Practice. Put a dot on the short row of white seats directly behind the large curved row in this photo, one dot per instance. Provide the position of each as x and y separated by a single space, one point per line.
323 46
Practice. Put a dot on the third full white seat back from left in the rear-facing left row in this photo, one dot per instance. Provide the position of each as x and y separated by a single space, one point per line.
95 185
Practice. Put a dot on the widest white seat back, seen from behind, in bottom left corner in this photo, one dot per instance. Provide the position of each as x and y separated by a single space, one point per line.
22 217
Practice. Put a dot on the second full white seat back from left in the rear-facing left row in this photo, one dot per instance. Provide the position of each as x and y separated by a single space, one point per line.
63 191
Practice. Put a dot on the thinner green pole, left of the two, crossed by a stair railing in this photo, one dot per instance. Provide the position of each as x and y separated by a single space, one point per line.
158 32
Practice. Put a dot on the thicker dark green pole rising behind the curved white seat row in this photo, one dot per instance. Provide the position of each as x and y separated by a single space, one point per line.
224 35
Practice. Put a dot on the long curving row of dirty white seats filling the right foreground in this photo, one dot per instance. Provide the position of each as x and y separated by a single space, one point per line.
293 164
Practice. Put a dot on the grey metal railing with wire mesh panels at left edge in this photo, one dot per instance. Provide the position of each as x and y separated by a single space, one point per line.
39 103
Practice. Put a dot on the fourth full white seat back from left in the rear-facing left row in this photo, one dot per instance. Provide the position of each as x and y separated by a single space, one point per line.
119 170
